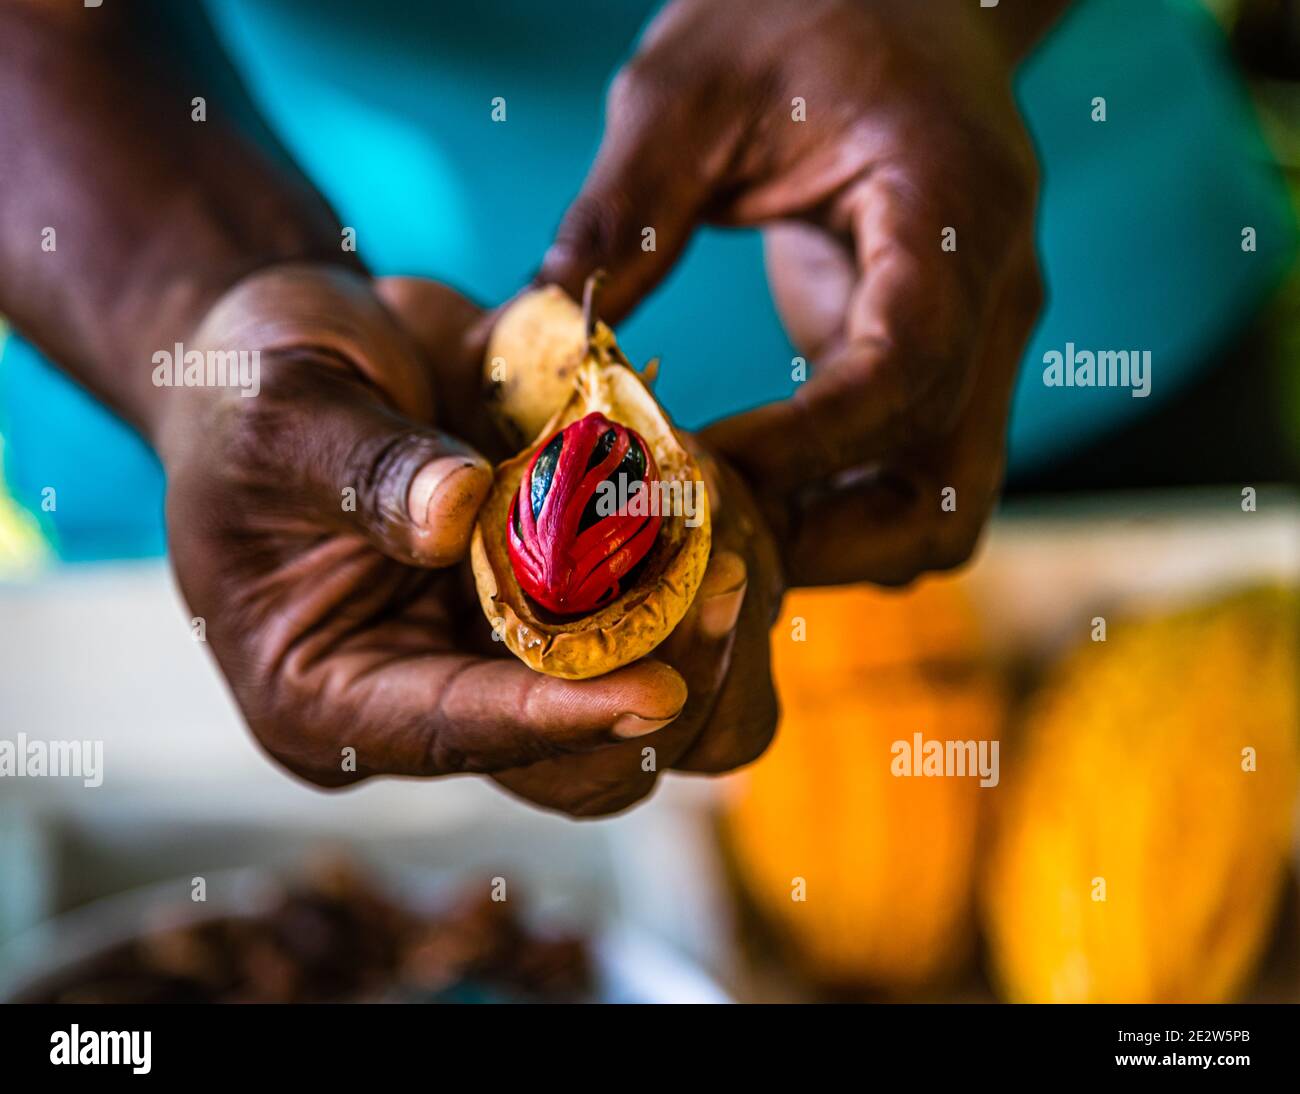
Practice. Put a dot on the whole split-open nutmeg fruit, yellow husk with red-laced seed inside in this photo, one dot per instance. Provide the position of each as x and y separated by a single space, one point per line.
595 539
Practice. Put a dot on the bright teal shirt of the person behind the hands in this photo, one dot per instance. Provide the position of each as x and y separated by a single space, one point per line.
388 107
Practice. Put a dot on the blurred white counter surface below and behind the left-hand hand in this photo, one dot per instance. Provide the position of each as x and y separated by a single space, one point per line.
105 653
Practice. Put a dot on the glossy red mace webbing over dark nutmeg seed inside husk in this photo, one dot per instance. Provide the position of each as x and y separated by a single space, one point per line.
571 540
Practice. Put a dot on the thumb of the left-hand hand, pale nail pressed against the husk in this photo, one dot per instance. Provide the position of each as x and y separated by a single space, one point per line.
340 428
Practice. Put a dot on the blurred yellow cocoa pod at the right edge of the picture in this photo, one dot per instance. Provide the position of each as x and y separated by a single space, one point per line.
1142 839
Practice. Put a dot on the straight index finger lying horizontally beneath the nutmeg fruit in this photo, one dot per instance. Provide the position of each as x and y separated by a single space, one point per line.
492 717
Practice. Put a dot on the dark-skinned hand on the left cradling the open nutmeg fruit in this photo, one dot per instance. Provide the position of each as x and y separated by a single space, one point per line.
319 531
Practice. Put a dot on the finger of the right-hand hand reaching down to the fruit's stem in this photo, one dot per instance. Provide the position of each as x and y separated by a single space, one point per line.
651 183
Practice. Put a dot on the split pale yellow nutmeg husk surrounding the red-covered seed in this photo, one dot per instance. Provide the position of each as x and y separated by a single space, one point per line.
543 376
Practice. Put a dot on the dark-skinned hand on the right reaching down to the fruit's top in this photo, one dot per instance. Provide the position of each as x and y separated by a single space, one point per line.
911 131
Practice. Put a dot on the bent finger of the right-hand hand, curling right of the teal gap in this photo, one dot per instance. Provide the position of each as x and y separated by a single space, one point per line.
896 371
